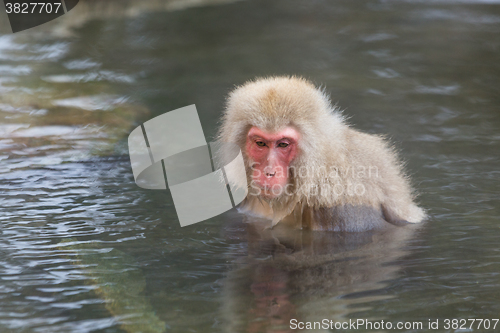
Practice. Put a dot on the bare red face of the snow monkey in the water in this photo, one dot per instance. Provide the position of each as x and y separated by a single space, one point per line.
271 154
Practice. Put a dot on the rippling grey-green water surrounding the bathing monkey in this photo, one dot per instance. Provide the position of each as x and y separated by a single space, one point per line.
83 249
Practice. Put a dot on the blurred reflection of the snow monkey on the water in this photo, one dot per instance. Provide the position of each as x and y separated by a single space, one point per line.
307 275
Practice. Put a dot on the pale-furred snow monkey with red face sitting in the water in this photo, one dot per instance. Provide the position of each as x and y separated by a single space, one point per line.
306 167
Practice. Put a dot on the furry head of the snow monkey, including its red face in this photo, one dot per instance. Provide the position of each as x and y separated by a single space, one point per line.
282 125
